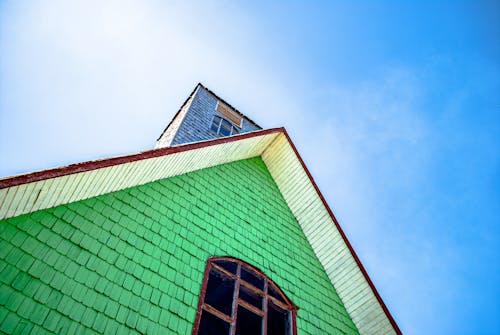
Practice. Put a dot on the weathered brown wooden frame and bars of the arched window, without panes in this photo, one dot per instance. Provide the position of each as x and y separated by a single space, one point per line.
284 303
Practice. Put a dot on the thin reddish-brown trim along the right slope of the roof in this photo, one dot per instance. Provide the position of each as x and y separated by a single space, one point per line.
344 237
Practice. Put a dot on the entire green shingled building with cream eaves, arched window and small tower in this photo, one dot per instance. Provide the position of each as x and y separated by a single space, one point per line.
219 230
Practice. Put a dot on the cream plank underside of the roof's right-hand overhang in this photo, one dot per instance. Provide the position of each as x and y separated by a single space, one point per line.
319 228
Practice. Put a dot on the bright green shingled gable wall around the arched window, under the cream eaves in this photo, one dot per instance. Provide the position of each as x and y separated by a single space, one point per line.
132 261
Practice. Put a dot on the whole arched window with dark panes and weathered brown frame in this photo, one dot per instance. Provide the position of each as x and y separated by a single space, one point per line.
238 299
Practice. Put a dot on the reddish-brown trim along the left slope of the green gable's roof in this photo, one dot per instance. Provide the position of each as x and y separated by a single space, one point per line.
101 163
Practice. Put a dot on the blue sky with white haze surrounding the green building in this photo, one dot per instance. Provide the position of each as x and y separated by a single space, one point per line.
394 106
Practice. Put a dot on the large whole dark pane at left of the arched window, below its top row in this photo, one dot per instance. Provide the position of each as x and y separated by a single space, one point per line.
220 290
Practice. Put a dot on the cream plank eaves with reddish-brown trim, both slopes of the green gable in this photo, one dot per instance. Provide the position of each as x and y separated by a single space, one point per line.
48 188
